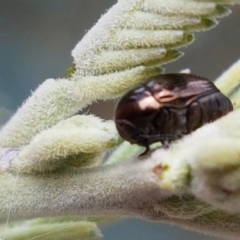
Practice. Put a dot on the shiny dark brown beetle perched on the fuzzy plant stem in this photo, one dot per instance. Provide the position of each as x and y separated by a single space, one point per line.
167 107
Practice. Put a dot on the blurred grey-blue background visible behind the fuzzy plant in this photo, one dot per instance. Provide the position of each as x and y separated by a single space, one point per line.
36 39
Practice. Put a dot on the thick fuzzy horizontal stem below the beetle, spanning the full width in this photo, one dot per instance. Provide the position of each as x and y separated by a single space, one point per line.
126 190
